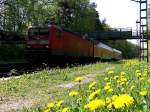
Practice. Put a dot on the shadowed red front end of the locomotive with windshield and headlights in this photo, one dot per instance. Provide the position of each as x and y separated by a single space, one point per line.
37 44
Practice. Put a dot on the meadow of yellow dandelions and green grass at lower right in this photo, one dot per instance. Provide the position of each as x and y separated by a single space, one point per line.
123 89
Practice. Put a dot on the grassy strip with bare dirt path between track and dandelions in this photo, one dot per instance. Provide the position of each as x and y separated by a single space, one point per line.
37 88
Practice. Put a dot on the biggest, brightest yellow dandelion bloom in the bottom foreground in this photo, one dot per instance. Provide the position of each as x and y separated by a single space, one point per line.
123 100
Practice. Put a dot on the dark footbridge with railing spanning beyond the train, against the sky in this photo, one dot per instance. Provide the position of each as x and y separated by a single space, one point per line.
115 34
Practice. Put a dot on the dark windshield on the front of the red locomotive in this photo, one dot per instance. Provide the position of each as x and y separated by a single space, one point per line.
38 32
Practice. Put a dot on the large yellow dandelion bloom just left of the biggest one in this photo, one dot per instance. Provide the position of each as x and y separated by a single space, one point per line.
95 104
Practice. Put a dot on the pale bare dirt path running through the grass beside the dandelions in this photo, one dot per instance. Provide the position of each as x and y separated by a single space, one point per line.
9 105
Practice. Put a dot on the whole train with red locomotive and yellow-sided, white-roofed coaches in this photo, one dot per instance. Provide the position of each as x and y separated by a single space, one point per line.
53 42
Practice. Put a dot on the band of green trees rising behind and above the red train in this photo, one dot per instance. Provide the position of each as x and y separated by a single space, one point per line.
76 15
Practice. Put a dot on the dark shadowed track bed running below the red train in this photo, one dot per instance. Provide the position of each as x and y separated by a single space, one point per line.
18 68
